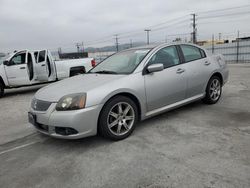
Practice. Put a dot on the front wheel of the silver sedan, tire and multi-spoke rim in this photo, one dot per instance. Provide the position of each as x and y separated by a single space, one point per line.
118 118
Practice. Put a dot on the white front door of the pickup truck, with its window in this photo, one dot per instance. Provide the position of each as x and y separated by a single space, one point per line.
17 70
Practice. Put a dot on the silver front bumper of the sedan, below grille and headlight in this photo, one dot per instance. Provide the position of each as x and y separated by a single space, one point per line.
84 121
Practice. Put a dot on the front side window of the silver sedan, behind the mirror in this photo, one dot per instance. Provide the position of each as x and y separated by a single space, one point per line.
167 56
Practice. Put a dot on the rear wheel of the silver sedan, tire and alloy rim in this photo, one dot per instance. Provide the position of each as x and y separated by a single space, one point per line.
213 90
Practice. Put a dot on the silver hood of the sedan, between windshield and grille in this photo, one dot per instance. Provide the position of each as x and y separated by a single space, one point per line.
77 84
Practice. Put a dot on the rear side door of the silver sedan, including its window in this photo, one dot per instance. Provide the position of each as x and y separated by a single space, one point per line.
198 68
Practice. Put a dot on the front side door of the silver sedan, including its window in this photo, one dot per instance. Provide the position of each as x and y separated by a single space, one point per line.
169 85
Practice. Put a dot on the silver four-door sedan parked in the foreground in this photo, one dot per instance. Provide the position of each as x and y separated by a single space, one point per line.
128 87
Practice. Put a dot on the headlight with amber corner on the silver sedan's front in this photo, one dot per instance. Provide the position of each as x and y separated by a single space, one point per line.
72 102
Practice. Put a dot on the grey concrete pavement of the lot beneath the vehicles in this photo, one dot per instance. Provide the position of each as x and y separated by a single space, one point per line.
194 146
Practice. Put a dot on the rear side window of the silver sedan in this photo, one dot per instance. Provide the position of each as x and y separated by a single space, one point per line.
191 53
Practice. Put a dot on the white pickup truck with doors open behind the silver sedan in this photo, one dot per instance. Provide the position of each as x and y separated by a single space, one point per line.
25 68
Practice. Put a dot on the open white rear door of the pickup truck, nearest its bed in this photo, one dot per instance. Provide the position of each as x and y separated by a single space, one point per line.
41 66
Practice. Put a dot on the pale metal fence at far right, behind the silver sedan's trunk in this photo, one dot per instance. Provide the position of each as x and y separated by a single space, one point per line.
235 52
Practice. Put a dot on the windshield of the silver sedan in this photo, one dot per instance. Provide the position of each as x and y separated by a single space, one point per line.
121 63
